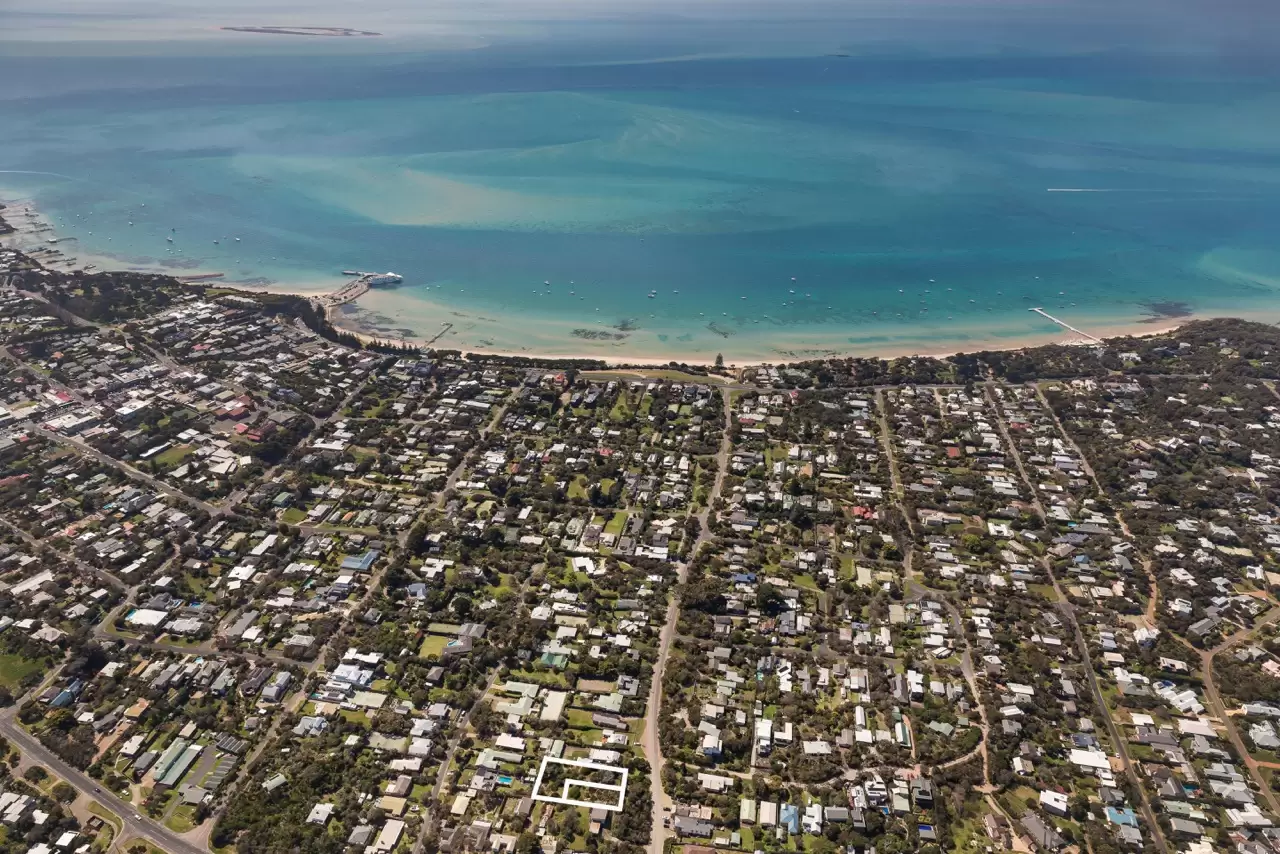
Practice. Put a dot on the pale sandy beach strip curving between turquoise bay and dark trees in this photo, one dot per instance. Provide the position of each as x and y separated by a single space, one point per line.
33 229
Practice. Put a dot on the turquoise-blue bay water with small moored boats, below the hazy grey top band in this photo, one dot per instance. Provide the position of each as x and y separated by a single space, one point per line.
774 205
